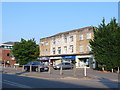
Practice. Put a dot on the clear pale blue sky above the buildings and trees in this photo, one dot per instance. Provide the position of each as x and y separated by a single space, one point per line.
42 19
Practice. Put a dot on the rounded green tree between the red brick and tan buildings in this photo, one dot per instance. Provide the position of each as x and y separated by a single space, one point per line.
25 51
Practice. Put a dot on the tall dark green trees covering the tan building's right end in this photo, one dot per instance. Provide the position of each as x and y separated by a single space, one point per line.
106 44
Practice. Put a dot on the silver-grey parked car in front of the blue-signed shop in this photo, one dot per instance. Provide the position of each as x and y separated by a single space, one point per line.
65 65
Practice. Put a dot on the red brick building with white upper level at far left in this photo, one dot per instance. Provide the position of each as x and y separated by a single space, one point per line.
5 57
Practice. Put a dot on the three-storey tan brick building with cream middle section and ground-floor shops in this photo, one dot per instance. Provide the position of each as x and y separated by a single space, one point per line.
71 46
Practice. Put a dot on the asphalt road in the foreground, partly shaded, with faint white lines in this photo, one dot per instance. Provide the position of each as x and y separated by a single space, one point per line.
14 81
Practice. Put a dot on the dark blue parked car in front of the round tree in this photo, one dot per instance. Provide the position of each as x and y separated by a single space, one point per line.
34 65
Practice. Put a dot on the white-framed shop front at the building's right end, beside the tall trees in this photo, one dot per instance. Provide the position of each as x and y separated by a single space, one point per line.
85 60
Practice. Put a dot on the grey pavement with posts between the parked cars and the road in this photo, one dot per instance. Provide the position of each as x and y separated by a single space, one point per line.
67 74
